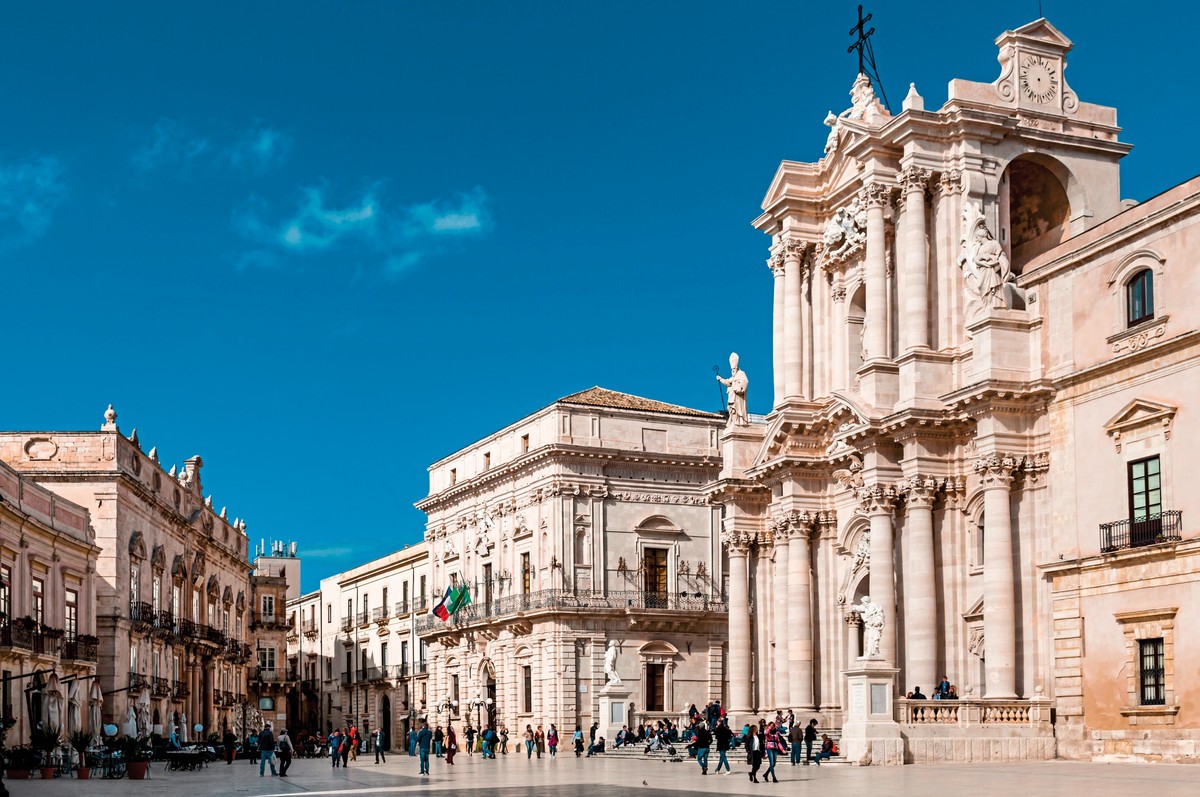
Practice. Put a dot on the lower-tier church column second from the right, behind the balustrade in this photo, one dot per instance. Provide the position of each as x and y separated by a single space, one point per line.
920 594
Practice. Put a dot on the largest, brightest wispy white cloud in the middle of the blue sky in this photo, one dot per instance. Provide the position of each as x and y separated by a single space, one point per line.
400 237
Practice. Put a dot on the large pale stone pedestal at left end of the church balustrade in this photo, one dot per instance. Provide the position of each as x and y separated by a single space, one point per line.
871 734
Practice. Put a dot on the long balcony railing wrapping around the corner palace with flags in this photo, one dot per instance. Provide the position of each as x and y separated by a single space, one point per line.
566 601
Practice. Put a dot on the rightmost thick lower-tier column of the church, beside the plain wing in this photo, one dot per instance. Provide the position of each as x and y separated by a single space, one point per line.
999 588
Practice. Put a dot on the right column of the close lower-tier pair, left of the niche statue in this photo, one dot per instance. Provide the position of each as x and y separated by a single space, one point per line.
800 612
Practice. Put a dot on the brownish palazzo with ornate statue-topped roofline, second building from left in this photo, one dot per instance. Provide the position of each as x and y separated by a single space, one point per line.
172 579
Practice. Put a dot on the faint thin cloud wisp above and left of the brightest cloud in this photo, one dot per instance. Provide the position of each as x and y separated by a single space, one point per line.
173 145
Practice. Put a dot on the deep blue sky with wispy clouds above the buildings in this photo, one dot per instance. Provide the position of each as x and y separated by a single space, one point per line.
325 245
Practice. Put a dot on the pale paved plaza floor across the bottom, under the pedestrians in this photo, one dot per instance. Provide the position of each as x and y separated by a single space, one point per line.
568 777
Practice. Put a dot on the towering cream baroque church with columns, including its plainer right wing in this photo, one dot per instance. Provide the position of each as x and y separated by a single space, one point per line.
976 460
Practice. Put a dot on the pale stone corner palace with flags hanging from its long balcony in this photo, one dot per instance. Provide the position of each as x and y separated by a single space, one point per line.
583 526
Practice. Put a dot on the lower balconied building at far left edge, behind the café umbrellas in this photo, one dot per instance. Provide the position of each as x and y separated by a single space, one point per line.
47 609
